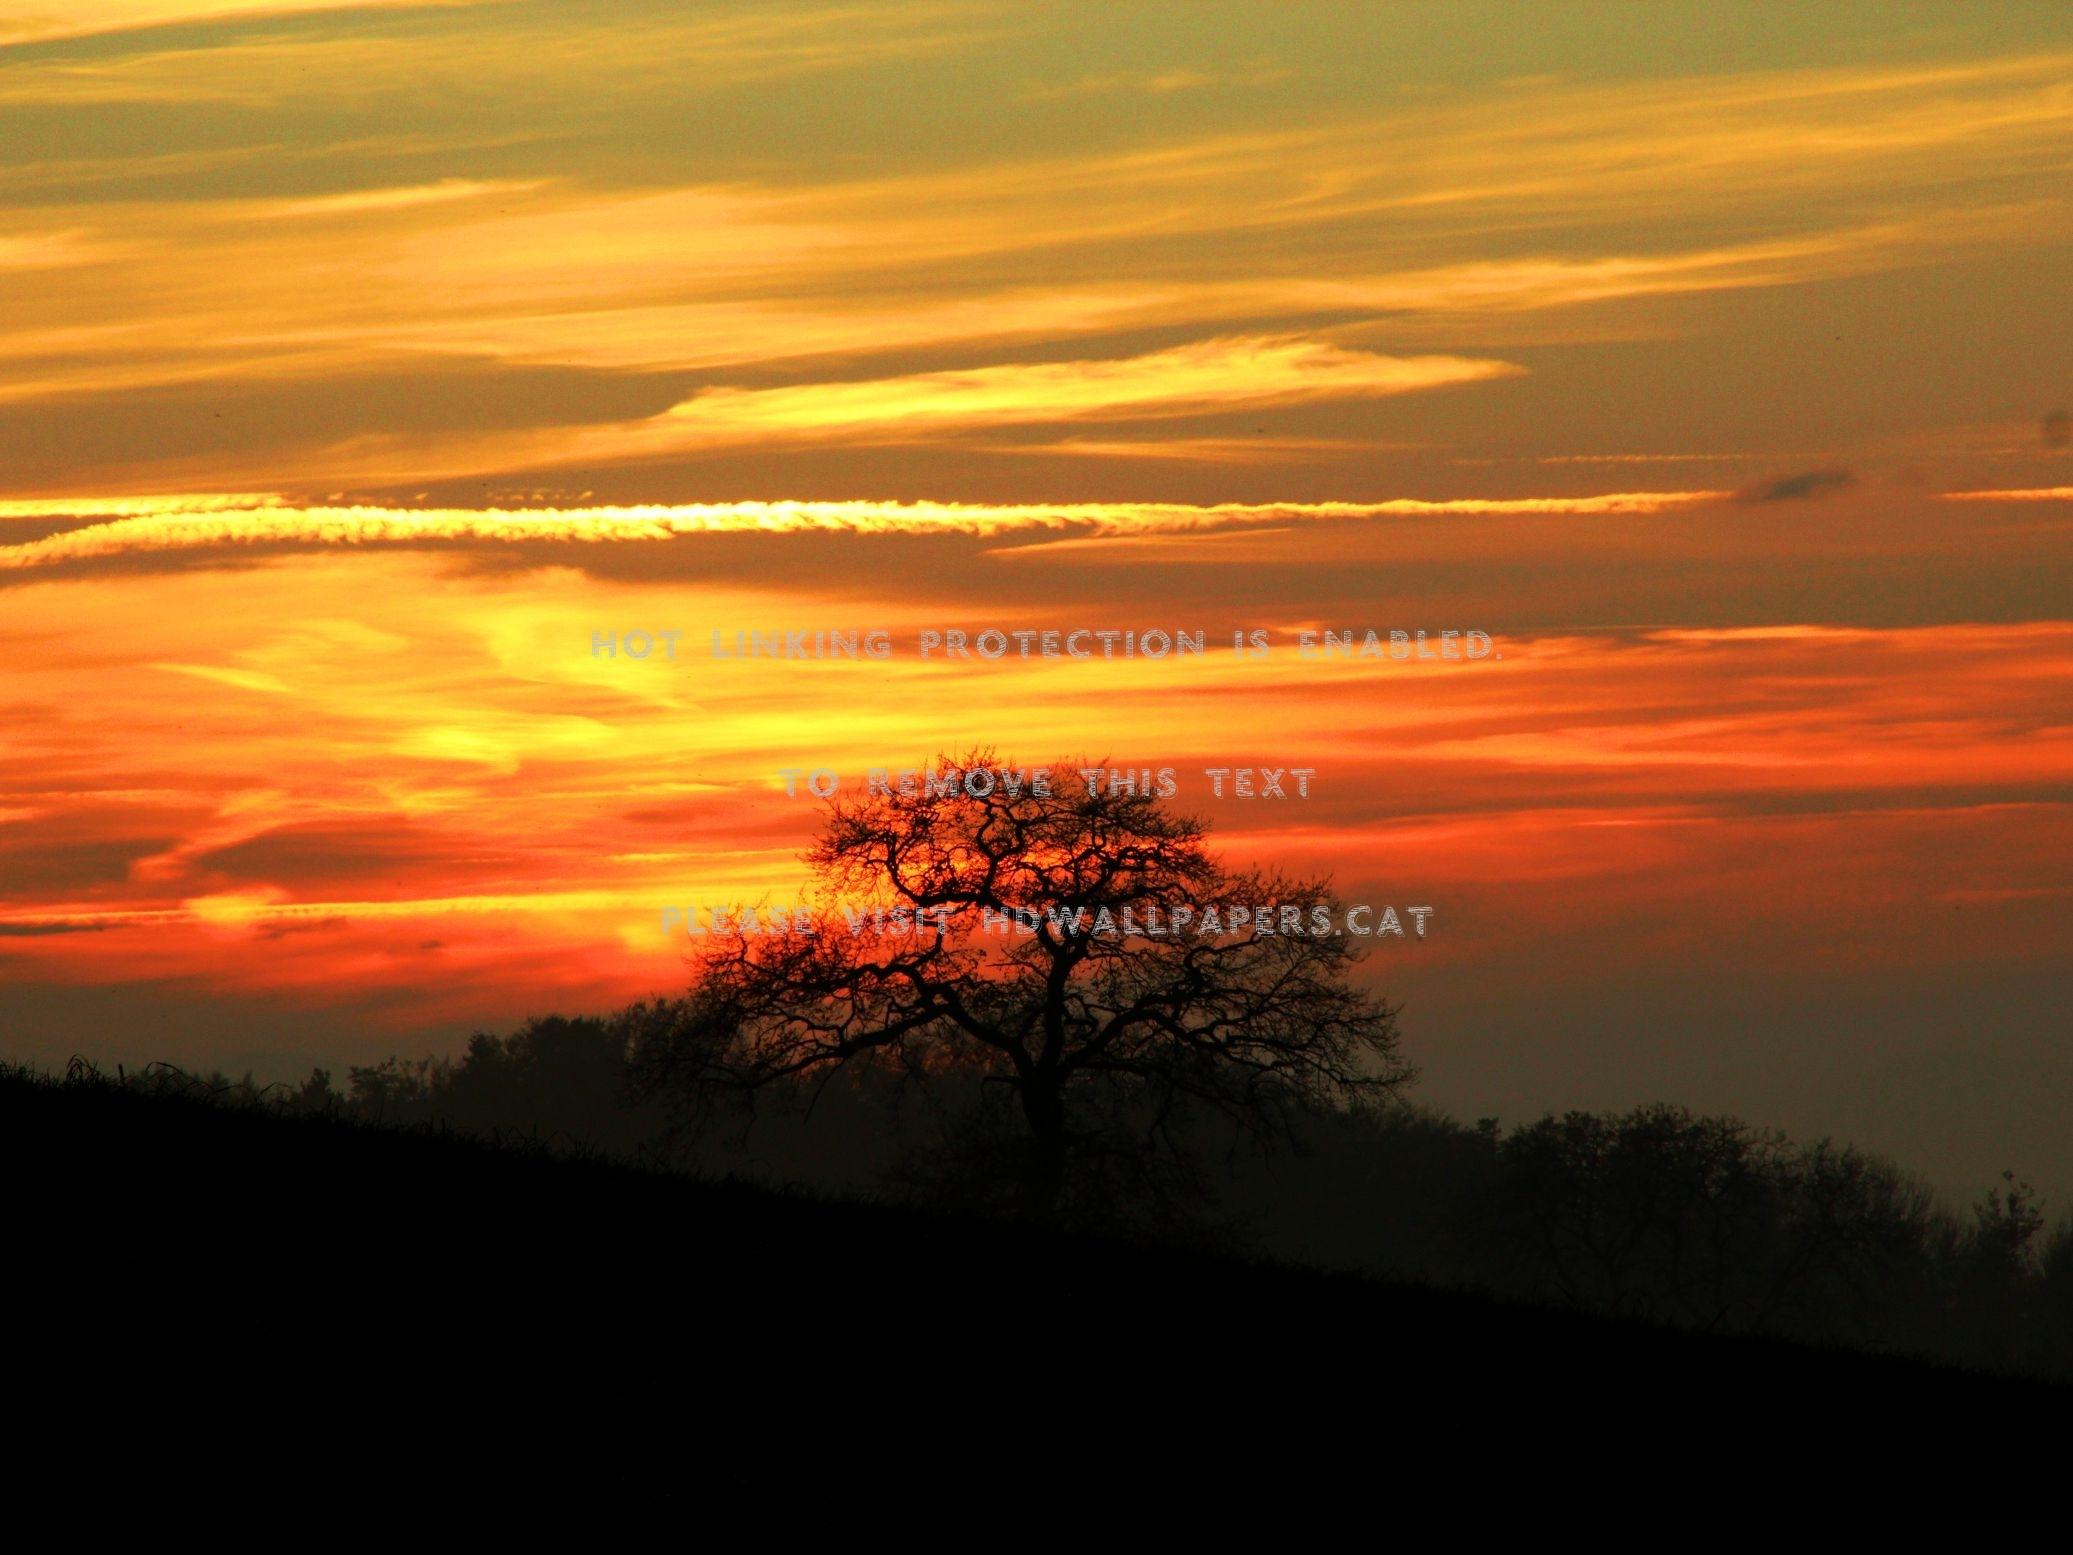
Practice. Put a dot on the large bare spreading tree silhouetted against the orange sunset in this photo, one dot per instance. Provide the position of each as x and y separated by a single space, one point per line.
1025 957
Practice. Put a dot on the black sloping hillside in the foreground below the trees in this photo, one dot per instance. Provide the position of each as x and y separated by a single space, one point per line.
233 1297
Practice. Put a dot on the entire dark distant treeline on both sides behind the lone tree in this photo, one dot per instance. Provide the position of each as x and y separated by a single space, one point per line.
1657 1214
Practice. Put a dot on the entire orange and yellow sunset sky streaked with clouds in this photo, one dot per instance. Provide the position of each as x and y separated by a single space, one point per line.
360 364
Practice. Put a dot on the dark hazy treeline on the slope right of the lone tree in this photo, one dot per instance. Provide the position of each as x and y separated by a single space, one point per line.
1680 1218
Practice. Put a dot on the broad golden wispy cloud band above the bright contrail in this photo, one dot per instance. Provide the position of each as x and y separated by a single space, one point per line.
1639 206
